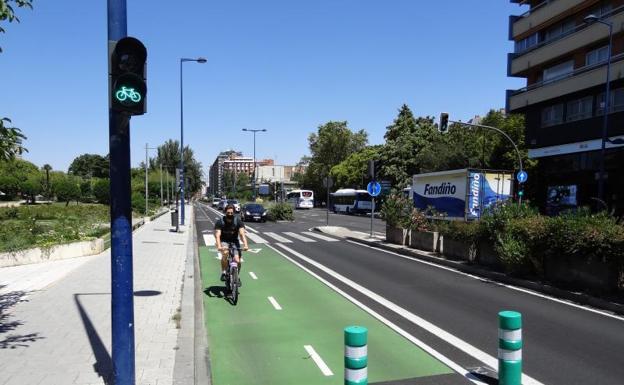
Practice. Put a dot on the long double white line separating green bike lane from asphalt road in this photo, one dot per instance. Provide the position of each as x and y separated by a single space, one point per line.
442 334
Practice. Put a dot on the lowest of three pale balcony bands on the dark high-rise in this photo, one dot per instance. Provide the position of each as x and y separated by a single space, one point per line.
578 80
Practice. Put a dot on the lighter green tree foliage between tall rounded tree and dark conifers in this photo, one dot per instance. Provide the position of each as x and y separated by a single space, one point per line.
353 171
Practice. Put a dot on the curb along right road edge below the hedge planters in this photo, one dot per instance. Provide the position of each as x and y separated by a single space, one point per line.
580 298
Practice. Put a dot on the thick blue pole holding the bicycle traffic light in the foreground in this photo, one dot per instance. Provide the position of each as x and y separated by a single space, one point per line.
122 302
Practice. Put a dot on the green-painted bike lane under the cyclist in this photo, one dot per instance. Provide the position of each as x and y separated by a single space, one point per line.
254 343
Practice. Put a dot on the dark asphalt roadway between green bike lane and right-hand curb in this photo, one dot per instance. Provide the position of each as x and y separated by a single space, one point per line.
563 344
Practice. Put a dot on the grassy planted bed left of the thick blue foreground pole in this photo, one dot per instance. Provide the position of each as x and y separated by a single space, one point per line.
44 226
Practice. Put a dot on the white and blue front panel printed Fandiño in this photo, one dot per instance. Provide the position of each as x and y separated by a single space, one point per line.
443 191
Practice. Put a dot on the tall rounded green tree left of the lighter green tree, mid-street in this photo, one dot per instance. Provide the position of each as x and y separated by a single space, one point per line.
330 145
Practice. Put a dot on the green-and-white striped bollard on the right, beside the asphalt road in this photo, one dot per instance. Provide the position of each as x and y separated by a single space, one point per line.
509 348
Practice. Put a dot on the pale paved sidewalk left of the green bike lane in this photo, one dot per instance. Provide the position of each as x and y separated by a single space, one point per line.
55 317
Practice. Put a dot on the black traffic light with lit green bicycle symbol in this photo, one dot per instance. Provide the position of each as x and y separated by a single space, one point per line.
127 77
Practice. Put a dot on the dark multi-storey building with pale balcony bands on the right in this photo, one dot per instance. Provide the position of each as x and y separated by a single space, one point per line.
563 56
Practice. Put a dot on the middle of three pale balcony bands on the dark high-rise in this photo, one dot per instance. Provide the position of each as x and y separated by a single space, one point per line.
564 45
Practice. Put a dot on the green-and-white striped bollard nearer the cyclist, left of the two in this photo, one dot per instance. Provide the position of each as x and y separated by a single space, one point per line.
356 355
